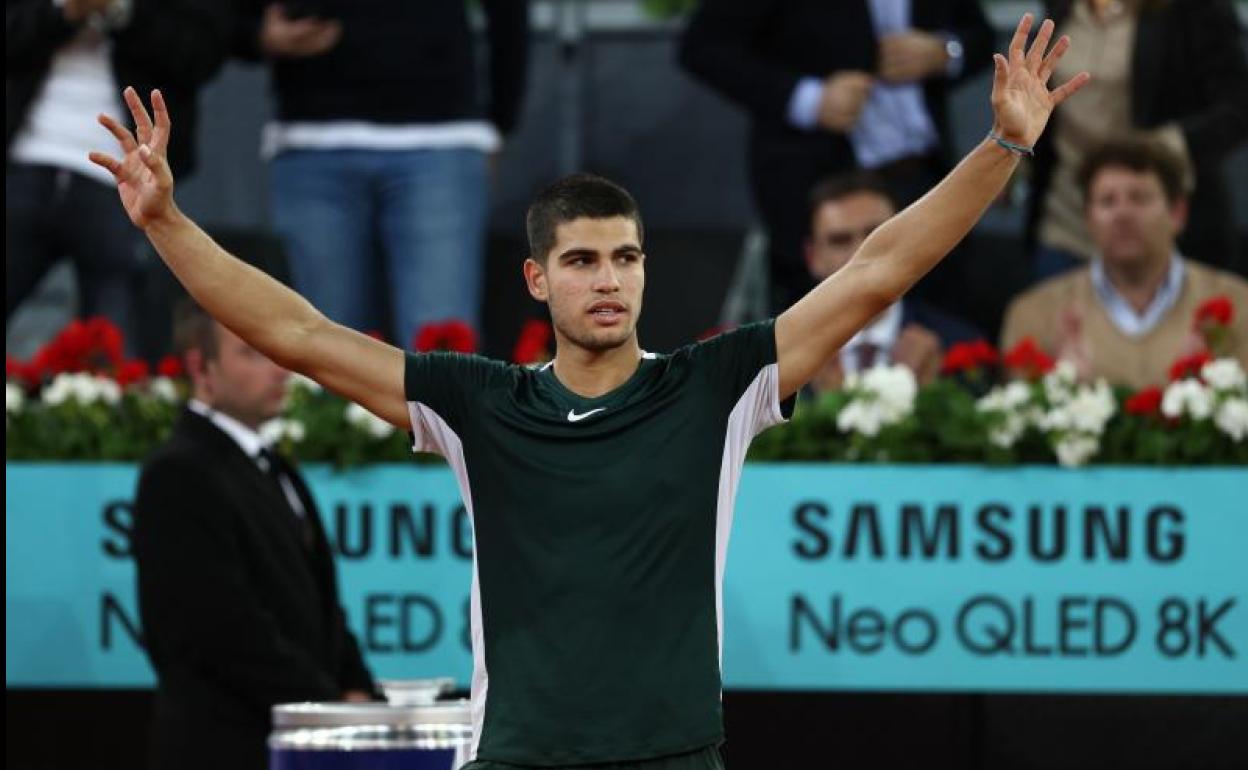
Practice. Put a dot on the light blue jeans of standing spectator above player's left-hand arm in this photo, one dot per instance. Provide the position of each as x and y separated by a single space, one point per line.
370 229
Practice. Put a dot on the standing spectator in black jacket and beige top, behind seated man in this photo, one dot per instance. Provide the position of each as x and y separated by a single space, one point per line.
1172 71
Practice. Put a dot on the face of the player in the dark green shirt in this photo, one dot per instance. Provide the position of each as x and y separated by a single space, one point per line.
592 281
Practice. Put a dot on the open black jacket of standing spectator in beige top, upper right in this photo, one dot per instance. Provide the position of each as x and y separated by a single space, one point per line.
1187 68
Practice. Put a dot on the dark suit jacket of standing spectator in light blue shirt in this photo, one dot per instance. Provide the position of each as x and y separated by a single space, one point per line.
757 52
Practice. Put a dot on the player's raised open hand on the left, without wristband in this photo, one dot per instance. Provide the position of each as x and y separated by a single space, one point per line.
144 179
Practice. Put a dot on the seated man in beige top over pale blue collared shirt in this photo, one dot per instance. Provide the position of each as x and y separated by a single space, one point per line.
1131 313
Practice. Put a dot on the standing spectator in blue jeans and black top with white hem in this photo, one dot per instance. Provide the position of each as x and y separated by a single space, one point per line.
381 150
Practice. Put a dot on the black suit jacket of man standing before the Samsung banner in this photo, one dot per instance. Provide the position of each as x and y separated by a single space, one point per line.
239 613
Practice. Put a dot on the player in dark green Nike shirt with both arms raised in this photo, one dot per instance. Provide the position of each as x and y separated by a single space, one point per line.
601 487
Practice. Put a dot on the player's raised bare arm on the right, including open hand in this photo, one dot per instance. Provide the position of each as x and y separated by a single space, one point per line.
913 243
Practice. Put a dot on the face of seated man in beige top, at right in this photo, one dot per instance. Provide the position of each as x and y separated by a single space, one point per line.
1130 219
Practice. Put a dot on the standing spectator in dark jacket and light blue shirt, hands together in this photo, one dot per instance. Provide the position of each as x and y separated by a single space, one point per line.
834 87
